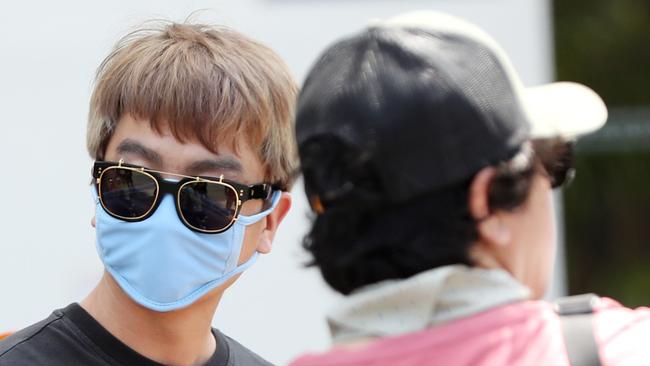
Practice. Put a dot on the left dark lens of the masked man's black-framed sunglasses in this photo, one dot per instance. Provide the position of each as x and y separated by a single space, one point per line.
127 193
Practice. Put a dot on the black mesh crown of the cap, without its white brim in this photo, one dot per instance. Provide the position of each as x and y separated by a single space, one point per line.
427 109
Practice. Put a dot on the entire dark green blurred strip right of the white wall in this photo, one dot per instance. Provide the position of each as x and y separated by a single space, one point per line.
606 44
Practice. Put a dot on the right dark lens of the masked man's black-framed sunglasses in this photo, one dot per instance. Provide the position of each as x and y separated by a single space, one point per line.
208 206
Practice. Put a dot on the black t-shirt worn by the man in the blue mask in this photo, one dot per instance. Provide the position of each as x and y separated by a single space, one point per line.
70 336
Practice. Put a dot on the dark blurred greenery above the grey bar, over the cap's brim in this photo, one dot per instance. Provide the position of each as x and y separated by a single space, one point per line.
606 45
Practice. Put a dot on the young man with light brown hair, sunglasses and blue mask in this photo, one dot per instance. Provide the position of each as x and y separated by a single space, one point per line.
191 130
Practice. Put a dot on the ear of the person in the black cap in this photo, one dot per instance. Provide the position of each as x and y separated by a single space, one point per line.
491 227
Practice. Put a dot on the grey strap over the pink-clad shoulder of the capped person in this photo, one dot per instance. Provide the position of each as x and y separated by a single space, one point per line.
576 316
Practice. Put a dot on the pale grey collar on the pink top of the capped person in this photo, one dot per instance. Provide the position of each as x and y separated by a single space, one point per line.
429 298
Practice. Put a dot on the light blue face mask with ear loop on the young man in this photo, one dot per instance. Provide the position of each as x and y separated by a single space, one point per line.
163 265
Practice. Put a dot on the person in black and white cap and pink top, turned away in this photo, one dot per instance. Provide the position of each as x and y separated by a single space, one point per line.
431 171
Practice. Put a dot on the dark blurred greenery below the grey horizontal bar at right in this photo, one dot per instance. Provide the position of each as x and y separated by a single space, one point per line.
607 218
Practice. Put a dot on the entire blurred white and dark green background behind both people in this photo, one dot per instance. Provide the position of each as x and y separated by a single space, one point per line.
50 50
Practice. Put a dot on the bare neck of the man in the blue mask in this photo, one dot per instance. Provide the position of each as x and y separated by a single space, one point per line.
181 337
